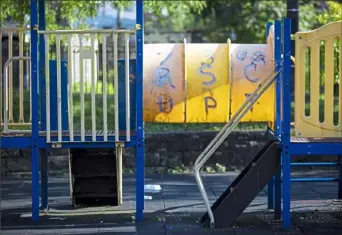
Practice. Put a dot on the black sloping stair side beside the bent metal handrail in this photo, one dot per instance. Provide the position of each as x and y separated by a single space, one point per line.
247 185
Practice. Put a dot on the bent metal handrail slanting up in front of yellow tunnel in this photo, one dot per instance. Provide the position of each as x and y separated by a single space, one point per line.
222 135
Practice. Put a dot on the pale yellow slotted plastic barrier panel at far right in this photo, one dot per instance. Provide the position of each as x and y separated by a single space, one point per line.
307 80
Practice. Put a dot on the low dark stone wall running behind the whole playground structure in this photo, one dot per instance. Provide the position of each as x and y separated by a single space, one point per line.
165 150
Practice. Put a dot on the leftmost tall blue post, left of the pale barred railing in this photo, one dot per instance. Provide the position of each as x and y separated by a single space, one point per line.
35 109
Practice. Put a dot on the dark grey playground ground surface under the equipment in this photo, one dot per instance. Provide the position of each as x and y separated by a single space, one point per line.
173 210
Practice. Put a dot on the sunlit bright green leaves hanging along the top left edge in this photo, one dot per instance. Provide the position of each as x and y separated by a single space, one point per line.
72 11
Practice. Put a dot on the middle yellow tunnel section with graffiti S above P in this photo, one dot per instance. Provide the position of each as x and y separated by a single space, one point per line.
207 83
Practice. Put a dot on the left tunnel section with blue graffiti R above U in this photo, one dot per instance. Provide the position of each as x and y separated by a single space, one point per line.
164 82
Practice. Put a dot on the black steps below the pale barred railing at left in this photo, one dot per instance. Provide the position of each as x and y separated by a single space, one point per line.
93 177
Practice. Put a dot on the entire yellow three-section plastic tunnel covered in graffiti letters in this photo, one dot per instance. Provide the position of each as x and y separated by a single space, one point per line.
200 75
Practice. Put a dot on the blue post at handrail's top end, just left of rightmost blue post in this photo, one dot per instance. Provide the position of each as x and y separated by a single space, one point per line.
277 131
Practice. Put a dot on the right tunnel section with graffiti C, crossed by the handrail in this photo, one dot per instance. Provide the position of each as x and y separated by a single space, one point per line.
251 64
